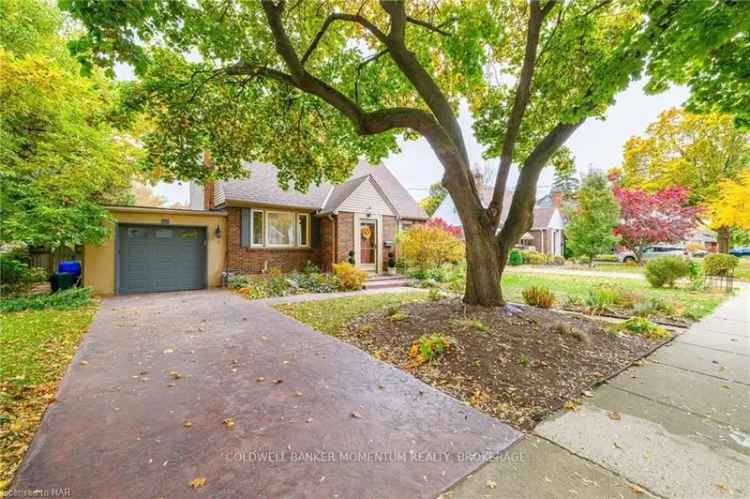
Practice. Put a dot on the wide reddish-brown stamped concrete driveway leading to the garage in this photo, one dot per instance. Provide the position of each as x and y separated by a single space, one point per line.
169 388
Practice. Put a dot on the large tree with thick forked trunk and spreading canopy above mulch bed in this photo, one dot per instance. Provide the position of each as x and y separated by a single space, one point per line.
310 86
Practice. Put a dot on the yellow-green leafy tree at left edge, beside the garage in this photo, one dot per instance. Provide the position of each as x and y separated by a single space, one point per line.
59 156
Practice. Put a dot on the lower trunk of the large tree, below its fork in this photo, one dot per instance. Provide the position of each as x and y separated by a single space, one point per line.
483 269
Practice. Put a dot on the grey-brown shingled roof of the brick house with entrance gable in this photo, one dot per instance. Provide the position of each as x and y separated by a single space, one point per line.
262 187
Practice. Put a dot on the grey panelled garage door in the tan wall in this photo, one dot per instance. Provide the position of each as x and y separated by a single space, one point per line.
161 258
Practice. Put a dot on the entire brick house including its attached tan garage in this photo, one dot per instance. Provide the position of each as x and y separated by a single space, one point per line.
251 225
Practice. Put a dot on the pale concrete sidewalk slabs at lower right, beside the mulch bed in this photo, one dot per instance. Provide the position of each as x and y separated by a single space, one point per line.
678 426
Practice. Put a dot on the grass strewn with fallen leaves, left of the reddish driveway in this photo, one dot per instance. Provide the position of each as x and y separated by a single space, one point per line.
35 349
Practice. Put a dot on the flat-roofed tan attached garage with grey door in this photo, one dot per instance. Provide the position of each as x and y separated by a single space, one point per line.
157 249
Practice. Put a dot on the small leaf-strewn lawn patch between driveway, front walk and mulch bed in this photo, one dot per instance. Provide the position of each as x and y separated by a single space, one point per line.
328 316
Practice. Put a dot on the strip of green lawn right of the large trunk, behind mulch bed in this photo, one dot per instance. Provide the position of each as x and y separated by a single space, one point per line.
698 303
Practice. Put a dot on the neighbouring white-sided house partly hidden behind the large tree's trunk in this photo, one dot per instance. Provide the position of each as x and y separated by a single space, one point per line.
547 230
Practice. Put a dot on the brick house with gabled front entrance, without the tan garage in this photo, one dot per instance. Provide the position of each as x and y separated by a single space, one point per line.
269 227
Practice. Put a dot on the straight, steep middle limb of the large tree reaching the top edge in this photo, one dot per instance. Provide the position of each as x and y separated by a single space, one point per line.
521 101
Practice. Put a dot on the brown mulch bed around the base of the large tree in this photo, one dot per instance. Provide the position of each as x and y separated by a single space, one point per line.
518 364
